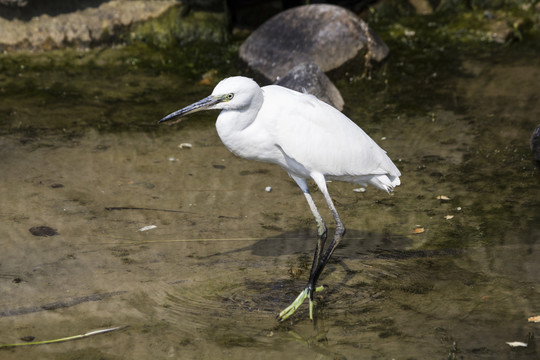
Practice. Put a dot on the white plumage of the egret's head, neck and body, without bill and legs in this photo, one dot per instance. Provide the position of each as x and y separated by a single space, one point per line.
301 134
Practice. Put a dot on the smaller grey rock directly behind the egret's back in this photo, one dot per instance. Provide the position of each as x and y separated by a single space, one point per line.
309 78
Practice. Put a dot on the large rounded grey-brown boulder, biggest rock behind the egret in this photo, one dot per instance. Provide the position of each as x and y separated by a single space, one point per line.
326 35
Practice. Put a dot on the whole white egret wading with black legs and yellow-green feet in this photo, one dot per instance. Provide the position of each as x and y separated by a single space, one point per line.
308 138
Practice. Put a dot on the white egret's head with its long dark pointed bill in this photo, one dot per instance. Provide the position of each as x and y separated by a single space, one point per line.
233 93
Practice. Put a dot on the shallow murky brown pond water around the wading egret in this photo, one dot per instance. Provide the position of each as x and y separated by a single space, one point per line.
82 154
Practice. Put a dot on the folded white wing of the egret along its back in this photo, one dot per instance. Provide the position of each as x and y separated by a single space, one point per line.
320 137
